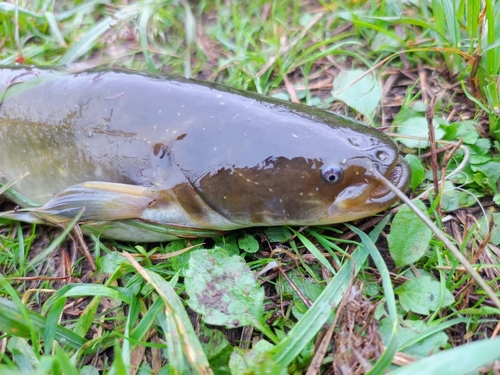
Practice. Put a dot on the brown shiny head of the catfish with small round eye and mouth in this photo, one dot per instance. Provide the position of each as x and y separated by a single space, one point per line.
328 178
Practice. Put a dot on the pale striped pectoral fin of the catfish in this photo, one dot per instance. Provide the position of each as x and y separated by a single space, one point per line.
100 200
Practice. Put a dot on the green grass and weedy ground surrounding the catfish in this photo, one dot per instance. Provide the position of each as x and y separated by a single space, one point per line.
402 291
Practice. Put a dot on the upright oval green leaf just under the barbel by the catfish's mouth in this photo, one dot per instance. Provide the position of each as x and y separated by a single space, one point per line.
409 236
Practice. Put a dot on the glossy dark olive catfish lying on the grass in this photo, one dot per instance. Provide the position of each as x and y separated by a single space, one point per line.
184 154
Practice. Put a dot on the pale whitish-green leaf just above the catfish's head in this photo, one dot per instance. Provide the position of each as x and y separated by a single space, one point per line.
363 96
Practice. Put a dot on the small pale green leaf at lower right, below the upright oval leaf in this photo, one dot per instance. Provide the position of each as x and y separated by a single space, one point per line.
423 295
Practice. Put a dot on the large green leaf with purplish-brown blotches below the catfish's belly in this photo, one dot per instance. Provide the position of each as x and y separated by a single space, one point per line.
222 288
